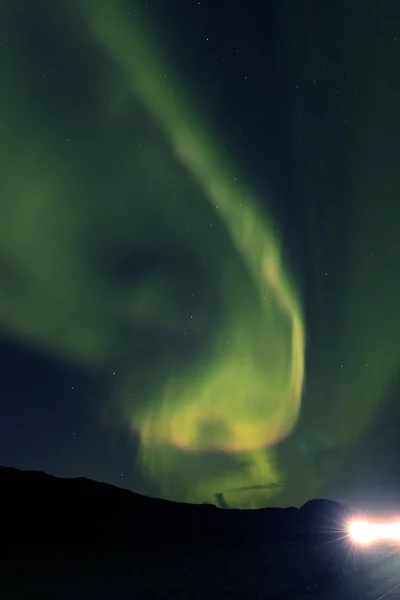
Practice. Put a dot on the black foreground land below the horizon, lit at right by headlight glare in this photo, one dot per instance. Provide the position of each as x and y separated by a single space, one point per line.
79 539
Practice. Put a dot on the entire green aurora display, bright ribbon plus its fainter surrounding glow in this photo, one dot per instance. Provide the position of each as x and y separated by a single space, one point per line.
127 246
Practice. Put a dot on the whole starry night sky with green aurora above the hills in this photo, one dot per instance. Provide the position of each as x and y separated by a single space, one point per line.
199 246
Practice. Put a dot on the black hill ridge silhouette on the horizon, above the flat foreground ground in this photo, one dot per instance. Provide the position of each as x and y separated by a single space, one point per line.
40 510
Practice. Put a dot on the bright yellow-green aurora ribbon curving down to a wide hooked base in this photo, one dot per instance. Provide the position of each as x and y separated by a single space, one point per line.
248 397
